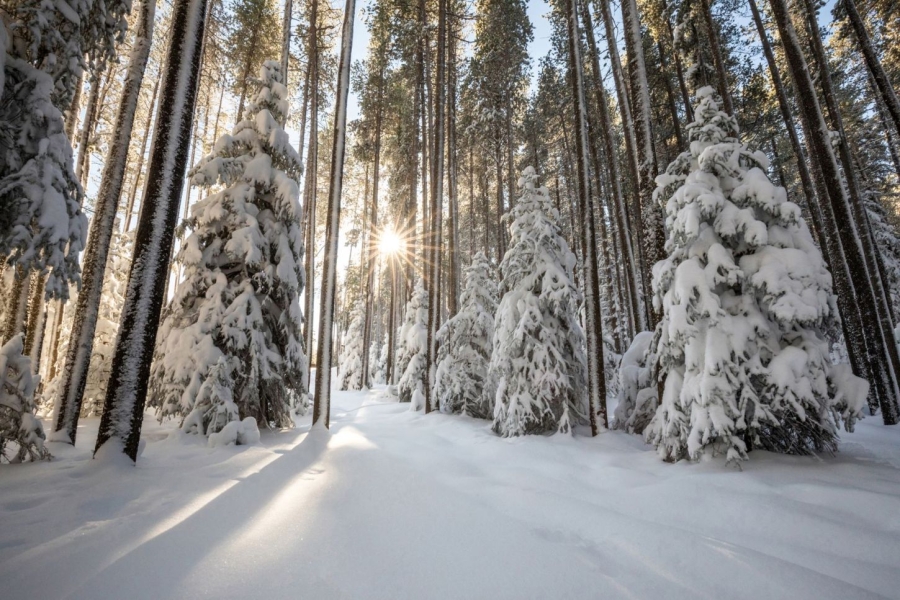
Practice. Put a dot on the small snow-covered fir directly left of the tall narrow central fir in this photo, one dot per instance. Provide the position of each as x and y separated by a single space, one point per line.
465 344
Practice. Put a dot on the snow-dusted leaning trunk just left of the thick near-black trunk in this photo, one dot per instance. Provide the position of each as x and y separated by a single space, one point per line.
87 307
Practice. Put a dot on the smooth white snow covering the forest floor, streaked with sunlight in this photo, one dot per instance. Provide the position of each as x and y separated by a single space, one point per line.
392 504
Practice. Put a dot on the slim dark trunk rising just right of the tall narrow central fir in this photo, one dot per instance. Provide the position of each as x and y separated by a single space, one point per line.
594 330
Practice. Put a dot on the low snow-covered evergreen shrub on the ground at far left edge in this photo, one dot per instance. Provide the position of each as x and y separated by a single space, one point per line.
21 433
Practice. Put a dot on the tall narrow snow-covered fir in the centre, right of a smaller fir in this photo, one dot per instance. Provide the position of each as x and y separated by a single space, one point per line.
538 366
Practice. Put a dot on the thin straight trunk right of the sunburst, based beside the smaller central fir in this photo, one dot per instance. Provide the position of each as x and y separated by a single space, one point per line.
433 281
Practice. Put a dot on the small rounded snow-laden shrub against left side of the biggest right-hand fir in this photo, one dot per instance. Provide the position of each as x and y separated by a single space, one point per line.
637 396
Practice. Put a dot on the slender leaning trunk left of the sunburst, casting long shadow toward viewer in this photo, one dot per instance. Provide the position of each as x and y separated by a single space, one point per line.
322 399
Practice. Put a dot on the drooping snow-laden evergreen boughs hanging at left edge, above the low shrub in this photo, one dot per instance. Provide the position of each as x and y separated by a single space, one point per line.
42 227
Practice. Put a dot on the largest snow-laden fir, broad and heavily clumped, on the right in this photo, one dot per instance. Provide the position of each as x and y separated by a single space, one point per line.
745 297
